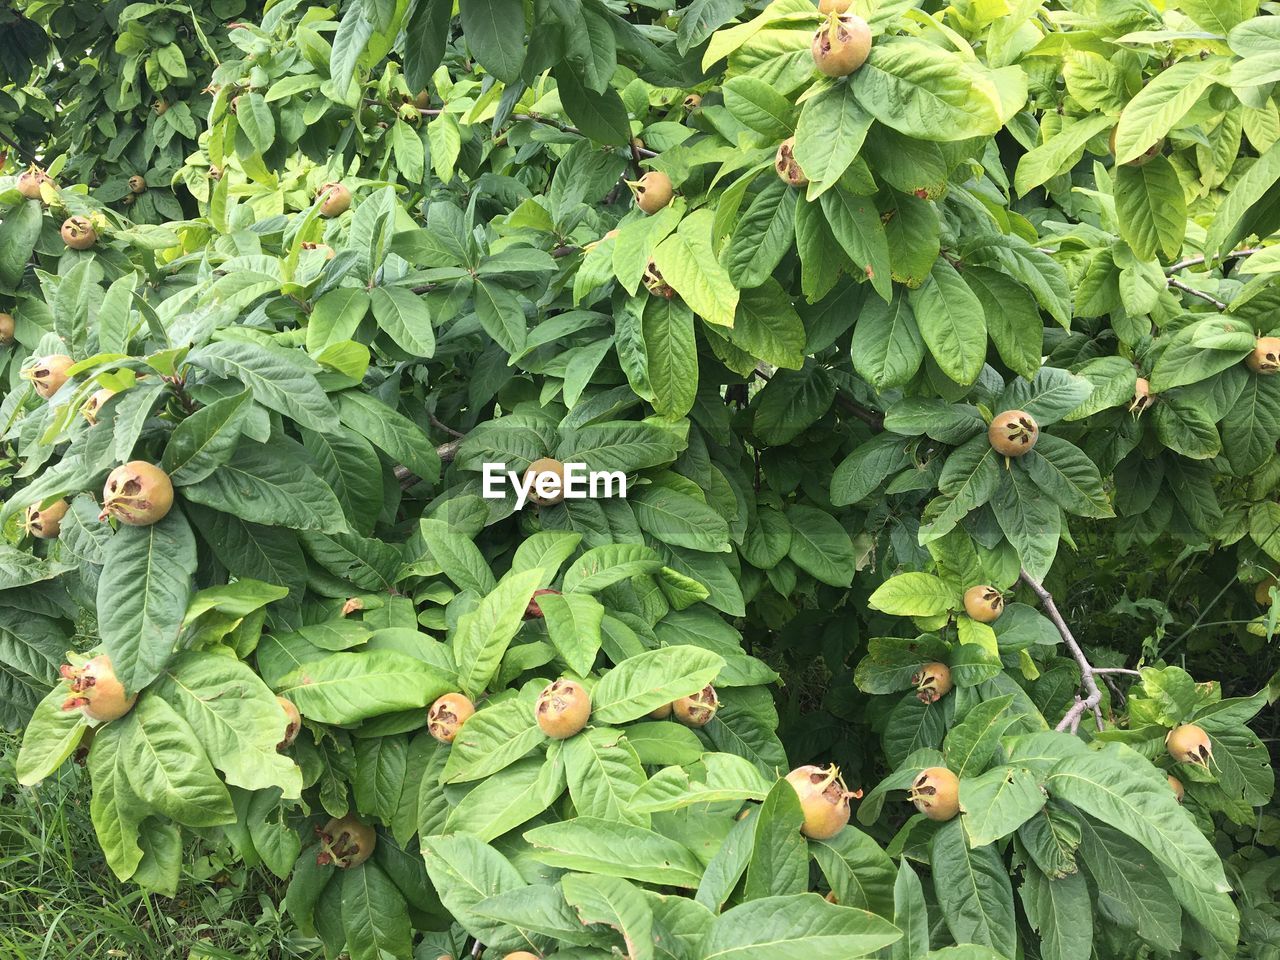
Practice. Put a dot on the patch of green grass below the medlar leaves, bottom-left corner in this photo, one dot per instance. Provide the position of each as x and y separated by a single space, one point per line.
61 902
